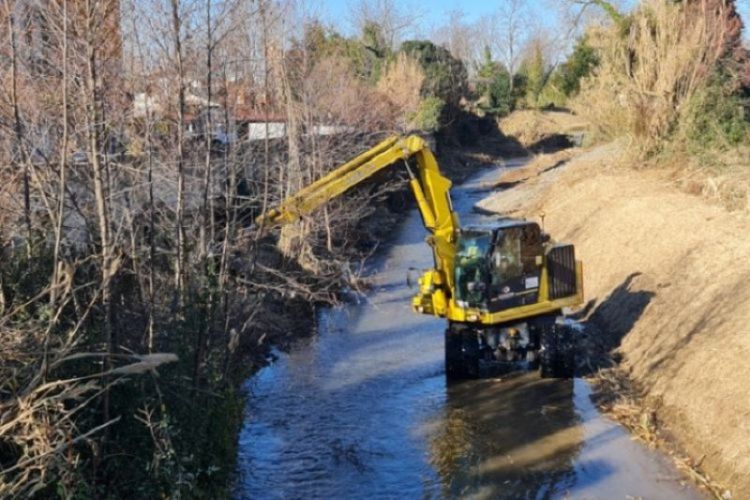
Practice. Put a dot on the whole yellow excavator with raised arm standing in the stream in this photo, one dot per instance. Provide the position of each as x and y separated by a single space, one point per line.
502 288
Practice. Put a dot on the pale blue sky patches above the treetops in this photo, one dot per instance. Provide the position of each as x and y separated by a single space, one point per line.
434 13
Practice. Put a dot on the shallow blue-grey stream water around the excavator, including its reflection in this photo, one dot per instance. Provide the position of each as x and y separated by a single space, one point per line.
363 410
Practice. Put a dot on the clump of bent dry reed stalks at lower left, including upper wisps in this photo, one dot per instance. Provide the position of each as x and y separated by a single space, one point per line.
43 424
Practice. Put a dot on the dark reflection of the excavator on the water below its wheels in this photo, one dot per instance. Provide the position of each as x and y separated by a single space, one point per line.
516 438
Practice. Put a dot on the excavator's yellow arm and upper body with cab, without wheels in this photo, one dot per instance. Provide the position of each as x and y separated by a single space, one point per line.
439 293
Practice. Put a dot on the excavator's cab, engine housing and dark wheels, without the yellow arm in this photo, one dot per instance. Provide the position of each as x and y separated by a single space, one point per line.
513 282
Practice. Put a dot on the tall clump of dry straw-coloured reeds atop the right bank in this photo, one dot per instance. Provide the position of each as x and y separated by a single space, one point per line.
646 78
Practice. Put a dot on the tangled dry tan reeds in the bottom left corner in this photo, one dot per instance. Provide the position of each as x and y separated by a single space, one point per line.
39 415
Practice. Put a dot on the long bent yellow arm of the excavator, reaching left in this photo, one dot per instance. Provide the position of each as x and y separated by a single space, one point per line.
430 188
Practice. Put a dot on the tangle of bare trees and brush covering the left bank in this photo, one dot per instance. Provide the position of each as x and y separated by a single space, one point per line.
127 240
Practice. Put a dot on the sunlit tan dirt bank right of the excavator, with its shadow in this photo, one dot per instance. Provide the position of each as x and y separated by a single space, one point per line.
668 285
